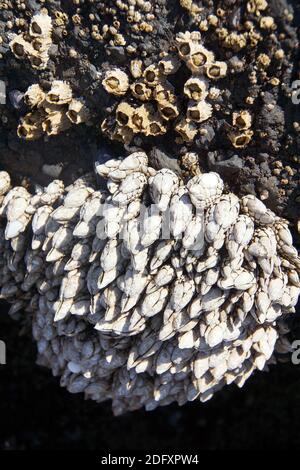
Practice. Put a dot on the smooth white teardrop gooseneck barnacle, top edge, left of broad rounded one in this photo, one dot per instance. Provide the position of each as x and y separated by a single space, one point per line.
162 187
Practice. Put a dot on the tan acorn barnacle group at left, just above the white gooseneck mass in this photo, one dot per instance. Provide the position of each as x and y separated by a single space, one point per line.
51 112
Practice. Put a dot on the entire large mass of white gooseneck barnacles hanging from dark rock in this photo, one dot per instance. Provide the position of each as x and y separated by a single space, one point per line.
148 291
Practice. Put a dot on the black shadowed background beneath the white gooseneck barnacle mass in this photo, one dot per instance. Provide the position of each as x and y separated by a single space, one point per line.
35 413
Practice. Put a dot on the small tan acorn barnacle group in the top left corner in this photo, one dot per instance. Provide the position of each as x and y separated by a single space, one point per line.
35 44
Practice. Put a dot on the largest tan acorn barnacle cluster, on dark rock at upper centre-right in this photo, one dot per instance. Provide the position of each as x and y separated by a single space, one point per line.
159 108
